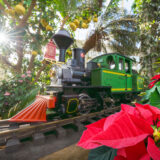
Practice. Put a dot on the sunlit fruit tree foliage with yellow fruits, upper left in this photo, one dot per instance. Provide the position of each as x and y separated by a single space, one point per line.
30 31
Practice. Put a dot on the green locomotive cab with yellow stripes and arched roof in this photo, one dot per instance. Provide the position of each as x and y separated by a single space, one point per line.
115 70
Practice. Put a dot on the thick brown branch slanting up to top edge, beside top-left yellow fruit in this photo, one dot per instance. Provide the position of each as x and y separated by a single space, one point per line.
23 22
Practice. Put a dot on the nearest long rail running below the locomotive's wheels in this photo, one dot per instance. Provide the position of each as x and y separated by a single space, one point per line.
45 127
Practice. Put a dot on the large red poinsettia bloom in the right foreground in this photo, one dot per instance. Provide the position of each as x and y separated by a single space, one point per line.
130 131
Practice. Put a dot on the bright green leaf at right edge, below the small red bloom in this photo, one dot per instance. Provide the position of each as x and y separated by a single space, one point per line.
155 98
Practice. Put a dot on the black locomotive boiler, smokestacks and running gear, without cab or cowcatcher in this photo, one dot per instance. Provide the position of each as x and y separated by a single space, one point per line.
71 83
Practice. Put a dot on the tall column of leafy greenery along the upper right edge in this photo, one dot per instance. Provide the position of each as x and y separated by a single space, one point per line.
148 14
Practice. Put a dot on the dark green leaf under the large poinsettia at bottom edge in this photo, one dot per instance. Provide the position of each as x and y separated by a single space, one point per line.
102 153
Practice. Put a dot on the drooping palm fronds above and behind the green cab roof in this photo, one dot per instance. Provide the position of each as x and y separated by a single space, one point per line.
117 28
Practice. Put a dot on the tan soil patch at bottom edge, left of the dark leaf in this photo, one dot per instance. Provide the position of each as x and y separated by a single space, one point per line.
72 152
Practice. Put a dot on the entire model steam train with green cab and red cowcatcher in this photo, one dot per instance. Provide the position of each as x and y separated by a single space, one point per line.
106 79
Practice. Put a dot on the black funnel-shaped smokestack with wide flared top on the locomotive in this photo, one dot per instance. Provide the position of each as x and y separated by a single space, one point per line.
63 40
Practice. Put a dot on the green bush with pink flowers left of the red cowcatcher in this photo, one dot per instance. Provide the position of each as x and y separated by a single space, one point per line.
16 92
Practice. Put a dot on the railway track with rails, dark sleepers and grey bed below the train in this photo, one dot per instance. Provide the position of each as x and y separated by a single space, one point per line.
32 141
